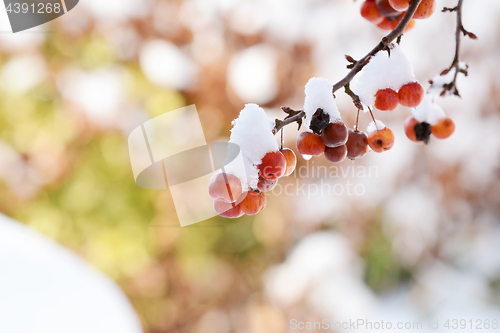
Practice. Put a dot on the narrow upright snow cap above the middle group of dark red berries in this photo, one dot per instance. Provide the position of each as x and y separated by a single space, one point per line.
319 96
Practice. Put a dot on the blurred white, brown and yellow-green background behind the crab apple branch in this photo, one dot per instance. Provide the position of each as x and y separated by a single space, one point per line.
420 242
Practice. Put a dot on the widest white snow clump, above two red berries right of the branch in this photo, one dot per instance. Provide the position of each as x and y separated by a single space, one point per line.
383 71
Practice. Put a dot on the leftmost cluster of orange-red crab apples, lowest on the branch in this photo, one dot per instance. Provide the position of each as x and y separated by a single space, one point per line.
227 191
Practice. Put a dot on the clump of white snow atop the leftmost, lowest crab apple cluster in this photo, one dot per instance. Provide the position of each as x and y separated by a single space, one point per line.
252 132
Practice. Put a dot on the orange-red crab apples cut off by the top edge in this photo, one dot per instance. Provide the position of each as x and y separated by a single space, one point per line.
387 14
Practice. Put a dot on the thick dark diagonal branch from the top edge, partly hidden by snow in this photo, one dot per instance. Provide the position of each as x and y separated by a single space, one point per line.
358 65
